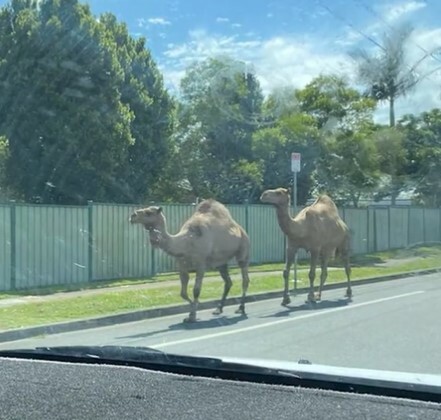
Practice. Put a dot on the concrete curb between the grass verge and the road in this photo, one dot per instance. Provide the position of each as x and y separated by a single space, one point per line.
23 333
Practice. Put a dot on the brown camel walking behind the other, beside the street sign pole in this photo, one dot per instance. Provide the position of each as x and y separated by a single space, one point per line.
319 230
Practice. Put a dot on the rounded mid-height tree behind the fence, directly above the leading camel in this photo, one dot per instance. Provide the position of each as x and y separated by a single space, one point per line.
220 109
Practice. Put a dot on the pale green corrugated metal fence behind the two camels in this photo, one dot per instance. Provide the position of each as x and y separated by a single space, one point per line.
50 245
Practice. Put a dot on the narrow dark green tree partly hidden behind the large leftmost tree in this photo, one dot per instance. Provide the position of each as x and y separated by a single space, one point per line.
142 90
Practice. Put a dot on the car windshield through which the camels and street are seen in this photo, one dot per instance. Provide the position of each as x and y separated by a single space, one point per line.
237 179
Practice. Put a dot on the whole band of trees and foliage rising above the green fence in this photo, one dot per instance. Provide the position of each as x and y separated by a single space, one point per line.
84 115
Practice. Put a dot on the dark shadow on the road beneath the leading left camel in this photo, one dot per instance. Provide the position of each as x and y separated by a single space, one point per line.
215 322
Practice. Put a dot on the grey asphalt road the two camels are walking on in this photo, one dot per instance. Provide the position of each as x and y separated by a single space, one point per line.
391 325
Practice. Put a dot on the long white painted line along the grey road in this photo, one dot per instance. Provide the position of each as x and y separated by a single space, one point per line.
282 321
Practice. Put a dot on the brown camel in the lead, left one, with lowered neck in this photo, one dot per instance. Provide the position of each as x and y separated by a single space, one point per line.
208 239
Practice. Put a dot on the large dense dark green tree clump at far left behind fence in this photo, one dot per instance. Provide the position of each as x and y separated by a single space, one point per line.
68 107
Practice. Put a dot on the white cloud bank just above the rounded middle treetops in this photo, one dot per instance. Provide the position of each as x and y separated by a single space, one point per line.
277 61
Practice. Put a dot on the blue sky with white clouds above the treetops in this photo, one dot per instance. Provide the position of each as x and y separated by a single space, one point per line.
286 42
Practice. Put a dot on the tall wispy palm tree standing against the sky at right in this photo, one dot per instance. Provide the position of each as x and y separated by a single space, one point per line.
387 75
